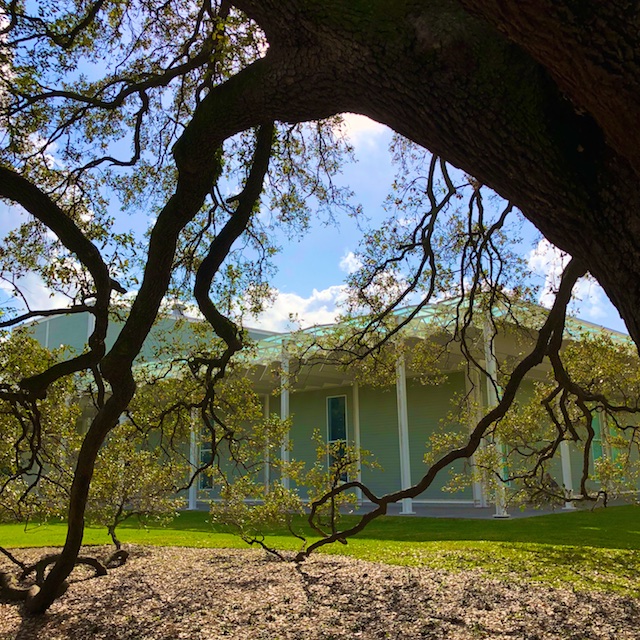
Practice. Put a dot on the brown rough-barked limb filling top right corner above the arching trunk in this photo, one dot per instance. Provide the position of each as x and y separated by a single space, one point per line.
590 49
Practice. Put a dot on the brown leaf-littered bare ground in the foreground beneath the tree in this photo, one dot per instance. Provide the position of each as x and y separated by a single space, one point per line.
174 593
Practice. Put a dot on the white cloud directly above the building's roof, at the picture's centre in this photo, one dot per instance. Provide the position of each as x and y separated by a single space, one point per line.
290 310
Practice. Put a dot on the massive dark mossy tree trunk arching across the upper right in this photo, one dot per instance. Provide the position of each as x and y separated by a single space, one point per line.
519 112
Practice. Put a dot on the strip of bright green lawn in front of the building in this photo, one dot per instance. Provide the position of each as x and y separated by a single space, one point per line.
597 550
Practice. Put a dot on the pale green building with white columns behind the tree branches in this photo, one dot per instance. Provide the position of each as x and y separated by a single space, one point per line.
394 421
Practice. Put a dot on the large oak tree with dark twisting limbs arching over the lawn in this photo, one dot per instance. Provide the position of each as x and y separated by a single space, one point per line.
148 106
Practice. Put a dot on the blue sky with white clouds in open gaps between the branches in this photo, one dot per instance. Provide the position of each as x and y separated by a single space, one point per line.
310 279
